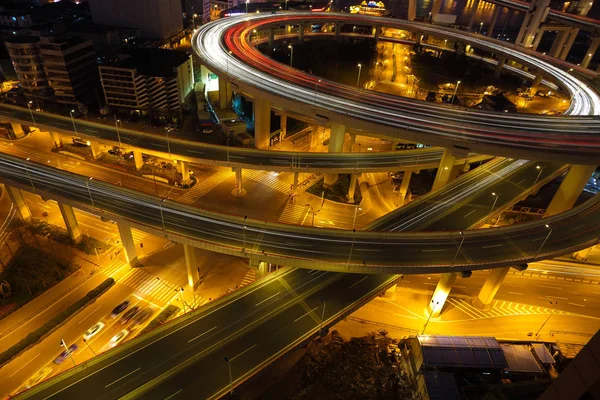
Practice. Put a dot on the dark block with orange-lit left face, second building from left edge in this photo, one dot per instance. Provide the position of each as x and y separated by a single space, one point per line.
71 69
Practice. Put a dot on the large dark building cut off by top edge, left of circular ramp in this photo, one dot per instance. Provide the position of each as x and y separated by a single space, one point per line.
156 19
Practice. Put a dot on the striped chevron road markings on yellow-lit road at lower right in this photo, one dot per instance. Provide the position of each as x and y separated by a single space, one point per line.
500 309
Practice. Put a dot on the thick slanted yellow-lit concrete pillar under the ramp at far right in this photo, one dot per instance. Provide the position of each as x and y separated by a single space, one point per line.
570 189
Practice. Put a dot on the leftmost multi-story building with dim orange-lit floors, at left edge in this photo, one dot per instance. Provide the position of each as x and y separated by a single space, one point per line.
24 52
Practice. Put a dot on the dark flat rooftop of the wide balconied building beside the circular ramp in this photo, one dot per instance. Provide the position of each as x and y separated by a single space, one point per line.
153 62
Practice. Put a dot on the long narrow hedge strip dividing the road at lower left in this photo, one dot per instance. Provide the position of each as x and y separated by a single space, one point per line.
49 326
